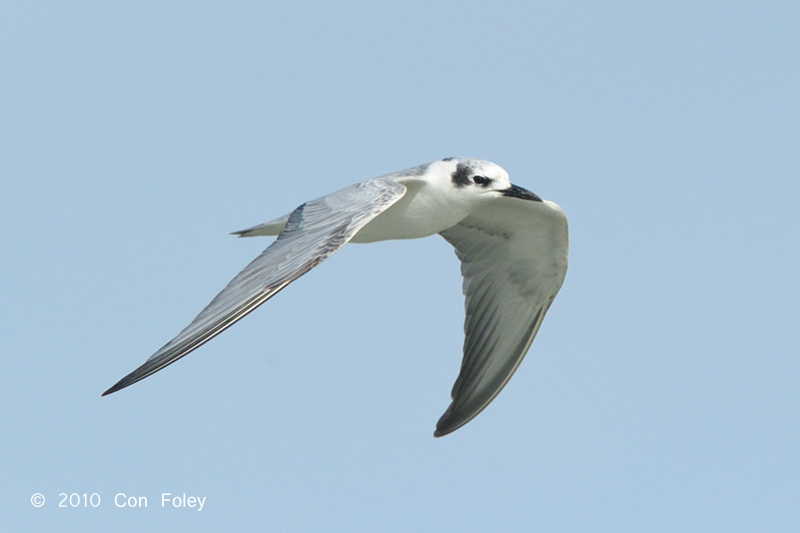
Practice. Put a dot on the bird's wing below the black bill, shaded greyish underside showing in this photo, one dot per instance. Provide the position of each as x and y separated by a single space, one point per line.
513 256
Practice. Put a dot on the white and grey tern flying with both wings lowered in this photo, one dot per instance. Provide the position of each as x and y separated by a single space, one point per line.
512 246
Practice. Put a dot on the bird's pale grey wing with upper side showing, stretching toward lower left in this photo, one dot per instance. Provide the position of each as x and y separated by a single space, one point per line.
313 232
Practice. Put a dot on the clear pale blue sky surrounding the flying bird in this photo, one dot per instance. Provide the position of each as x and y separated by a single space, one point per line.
661 393
